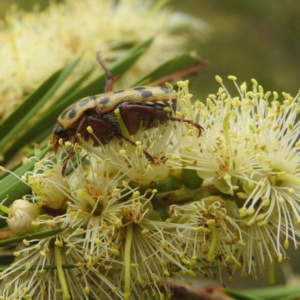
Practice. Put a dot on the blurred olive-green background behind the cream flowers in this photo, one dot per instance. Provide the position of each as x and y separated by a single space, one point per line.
248 39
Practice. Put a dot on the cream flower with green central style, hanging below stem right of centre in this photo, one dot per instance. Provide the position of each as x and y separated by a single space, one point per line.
208 234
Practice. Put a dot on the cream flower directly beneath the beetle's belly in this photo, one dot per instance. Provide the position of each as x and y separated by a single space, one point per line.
130 160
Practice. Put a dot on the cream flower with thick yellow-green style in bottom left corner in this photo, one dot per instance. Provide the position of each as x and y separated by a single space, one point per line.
53 268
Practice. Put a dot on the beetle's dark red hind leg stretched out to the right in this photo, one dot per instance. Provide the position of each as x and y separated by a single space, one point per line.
161 115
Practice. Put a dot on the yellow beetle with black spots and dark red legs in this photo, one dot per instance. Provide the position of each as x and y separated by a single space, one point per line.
140 107
